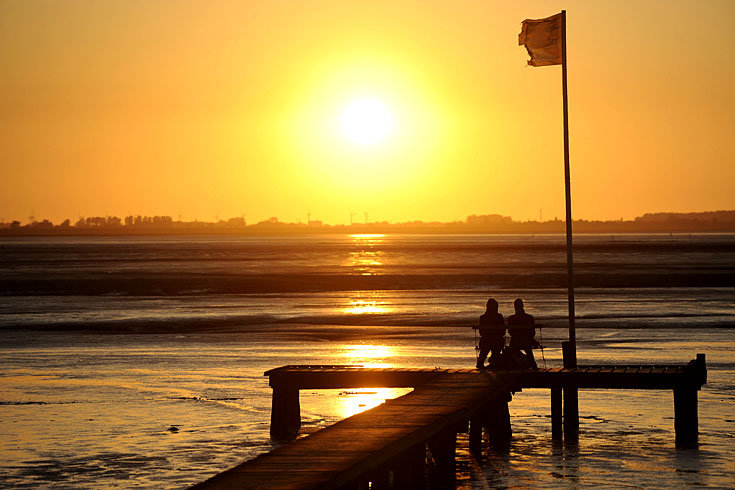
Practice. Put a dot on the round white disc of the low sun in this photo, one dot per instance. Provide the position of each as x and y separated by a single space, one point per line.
366 121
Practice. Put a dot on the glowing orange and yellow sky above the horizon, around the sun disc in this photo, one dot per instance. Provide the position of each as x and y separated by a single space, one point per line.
229 107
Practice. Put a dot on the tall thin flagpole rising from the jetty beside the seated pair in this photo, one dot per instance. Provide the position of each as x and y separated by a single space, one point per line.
570 358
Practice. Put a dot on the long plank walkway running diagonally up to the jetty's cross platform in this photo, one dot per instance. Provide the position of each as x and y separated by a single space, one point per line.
354 447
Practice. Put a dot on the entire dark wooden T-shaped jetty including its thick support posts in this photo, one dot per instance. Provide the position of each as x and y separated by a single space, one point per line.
386 447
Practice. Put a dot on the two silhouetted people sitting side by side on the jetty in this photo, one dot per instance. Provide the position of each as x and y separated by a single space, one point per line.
522 330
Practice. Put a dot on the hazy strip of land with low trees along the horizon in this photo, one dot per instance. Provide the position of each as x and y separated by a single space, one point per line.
653 222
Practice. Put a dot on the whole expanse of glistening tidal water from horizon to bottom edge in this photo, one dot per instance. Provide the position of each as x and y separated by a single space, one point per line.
139 361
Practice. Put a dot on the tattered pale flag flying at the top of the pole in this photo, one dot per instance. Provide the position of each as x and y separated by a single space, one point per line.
542 39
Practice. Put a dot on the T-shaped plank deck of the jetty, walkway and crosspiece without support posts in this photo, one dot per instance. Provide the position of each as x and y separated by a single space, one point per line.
349 450
